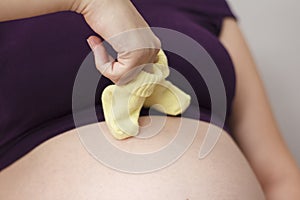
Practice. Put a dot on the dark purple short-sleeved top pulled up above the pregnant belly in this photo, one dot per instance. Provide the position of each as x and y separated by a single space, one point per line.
40 57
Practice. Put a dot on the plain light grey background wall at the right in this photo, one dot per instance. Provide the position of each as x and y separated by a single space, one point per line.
272 29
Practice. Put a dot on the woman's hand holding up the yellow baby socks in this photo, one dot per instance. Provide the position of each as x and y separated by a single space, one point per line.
120 24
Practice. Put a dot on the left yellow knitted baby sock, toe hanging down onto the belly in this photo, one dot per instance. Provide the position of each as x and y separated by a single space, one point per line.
122 104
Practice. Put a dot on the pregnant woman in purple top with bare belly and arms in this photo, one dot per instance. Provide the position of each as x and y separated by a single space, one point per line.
41 155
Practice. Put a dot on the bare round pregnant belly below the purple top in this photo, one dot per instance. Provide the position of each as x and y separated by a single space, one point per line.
63 168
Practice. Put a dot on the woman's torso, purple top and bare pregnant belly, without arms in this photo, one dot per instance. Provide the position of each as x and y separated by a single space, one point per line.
38 106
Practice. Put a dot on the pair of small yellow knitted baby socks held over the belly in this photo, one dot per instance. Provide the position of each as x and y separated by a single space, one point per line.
122 103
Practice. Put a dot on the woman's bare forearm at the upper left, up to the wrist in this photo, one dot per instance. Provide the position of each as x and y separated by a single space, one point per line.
16 9
